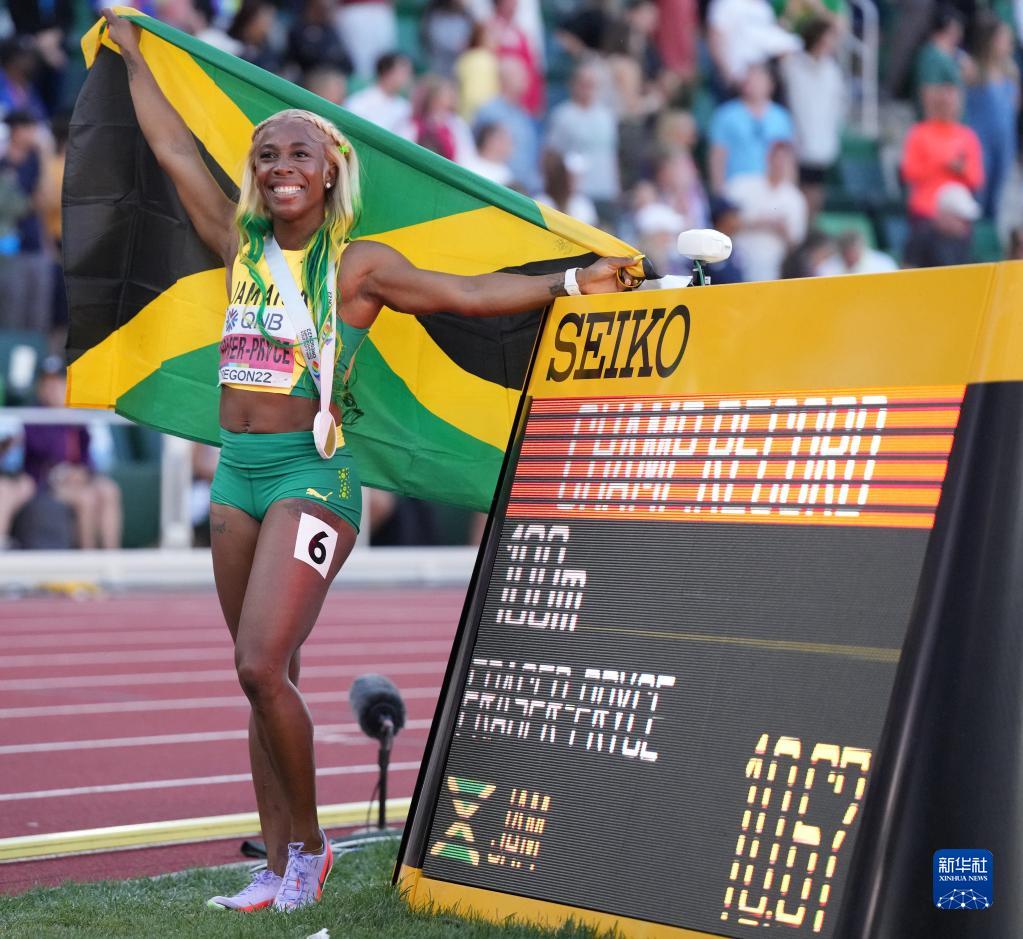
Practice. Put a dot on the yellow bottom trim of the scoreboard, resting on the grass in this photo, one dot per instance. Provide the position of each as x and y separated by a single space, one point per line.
423 892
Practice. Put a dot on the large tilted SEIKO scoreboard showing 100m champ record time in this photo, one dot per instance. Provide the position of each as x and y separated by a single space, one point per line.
744 644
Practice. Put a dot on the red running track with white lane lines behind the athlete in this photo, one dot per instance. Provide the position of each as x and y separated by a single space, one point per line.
126 709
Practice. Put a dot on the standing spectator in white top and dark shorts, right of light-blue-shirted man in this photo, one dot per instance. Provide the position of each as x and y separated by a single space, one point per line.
817 94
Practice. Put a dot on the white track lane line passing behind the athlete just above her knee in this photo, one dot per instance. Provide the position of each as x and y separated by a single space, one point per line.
217 636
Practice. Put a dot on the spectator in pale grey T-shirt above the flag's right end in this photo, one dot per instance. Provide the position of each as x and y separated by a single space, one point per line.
585 126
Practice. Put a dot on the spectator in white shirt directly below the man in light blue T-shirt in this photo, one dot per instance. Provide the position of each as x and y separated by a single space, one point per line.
773 213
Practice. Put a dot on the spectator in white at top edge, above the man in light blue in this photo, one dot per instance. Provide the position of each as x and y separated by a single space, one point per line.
742 34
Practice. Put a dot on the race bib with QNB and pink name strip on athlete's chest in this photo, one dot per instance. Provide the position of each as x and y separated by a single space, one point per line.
247 357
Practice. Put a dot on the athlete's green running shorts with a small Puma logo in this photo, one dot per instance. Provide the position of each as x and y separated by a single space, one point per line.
257 470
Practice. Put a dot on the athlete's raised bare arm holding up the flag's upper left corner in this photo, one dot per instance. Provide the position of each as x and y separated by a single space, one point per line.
211 212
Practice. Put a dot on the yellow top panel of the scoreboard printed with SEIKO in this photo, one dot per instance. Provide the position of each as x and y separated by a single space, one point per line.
940 327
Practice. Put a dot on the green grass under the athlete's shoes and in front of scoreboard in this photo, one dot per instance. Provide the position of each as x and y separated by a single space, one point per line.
359 904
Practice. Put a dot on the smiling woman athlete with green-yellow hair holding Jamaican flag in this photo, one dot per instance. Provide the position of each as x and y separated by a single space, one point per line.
286 504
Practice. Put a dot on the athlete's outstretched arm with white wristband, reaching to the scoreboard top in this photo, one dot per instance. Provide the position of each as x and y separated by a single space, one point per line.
374 276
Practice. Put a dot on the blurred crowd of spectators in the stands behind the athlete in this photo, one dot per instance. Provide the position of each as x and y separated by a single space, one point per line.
642 117
